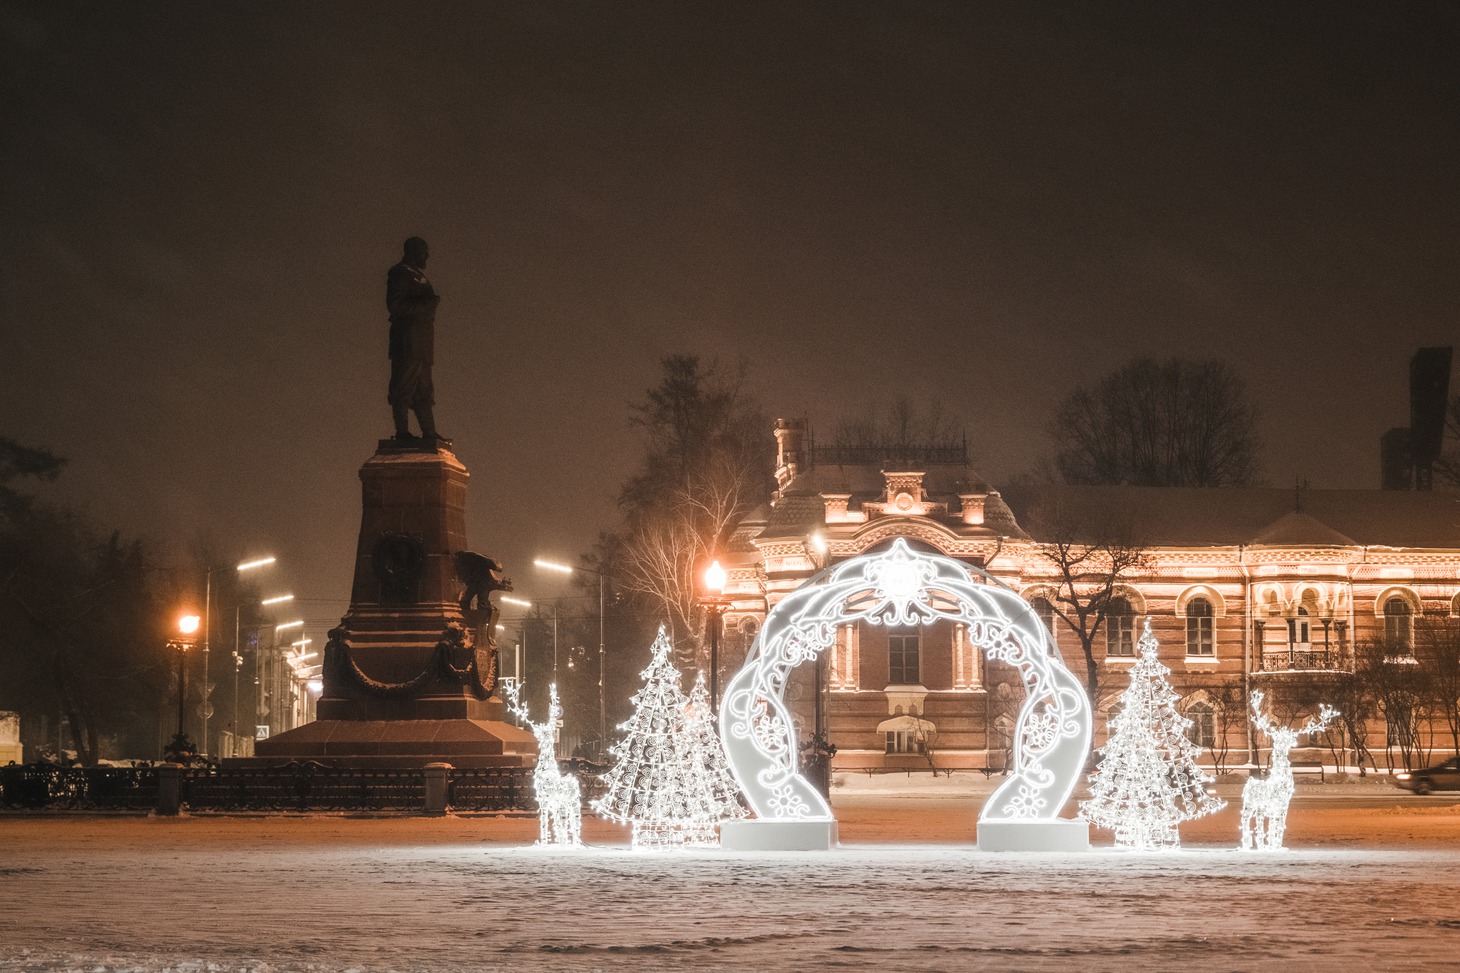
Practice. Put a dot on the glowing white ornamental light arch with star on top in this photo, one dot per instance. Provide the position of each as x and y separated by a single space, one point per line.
903 587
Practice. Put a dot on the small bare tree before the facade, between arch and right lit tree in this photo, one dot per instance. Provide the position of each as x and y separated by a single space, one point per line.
1088 556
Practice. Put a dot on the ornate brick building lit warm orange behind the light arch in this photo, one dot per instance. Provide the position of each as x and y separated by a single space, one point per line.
1272 589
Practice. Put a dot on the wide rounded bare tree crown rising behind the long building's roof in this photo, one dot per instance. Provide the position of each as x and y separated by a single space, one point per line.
1159 424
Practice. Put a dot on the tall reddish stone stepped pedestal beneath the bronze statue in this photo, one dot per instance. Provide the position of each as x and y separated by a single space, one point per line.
404 683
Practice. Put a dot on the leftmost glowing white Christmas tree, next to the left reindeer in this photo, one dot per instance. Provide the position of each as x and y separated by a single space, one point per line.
646 787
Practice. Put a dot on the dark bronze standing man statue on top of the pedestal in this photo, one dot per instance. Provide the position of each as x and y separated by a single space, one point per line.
412 303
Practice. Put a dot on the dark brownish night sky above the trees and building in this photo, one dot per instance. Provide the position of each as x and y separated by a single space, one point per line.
982 204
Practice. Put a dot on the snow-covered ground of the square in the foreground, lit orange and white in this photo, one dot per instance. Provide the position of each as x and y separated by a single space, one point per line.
1375 883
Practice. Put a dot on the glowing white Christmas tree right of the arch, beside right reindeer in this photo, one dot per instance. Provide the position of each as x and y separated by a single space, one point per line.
1148 781
